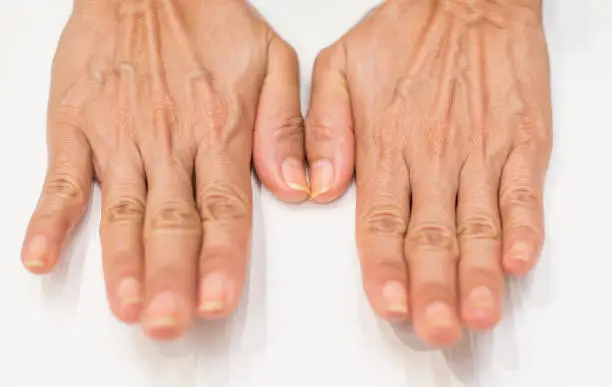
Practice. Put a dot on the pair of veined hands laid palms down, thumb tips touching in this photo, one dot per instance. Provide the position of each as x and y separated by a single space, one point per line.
441 109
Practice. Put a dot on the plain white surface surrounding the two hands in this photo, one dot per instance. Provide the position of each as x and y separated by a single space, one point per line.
305 321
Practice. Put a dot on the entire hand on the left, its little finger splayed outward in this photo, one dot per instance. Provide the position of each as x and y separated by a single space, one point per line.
165 103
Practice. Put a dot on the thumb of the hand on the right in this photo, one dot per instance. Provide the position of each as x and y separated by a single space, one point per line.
329 128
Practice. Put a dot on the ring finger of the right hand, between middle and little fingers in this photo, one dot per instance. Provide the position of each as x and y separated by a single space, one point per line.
479 233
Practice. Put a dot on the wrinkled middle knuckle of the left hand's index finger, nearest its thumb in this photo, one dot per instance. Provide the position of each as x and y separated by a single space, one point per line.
221 202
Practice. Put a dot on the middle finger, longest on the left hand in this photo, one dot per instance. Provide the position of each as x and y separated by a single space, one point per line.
172 239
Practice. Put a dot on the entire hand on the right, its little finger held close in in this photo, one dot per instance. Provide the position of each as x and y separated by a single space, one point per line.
444 106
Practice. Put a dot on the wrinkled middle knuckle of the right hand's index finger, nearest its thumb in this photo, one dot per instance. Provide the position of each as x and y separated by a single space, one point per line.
385 220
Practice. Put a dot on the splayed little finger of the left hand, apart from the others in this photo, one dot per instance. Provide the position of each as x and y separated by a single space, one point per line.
64 197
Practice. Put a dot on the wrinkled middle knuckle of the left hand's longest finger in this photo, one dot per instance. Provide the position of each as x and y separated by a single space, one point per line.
176 215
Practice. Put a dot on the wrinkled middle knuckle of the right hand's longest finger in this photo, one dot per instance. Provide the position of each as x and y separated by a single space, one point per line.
433 236
